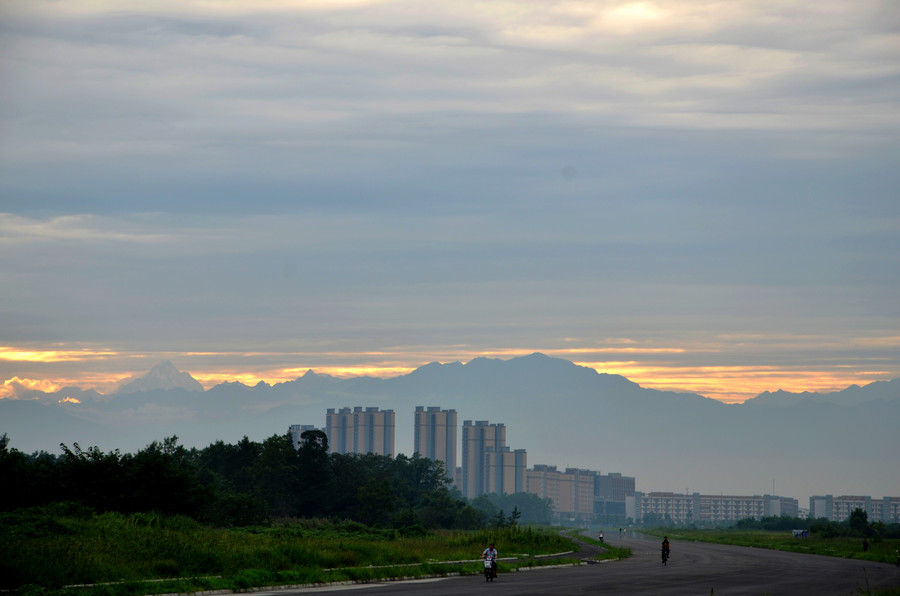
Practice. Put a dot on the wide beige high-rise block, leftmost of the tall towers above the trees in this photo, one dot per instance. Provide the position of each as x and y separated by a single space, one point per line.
360 430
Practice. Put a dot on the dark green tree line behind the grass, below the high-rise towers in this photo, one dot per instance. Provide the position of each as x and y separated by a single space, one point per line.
253 483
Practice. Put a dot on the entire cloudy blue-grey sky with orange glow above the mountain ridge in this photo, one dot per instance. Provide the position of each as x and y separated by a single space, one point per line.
698 195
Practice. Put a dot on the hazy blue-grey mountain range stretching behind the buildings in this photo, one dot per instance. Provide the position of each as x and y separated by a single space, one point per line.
563 414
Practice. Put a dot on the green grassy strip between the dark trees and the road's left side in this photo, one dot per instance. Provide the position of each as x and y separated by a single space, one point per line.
50 552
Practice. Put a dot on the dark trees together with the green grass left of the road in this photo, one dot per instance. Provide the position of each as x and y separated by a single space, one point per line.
233 517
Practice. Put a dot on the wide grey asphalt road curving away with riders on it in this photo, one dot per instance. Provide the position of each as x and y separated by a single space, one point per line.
694 568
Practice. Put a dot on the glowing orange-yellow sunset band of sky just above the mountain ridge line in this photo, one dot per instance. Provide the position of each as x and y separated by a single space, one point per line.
640 362
